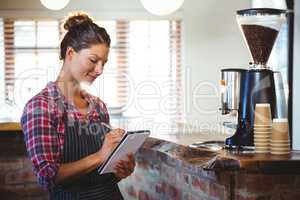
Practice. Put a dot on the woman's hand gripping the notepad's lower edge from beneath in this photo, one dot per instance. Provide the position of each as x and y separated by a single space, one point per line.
125 168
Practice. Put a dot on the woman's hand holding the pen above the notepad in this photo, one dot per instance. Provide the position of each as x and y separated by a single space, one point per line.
111 140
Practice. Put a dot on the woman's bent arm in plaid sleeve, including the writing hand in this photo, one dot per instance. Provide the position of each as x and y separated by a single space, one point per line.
43 146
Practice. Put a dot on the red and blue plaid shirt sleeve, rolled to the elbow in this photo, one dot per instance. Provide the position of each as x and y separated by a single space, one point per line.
41 138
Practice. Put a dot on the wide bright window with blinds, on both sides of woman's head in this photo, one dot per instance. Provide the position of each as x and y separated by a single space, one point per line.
141 78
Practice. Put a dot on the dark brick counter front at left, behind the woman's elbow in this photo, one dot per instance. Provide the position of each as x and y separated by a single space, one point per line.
17 180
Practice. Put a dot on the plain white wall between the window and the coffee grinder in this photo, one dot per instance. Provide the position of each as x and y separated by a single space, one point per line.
212 40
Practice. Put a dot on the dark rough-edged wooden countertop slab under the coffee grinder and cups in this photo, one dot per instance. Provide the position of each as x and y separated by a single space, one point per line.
225 159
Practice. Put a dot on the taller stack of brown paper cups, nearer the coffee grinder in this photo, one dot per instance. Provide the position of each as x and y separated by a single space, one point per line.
262 128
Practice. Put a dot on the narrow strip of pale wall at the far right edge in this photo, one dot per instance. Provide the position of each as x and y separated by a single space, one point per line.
296 100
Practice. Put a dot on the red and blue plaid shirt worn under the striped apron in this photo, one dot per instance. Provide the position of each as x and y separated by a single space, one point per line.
43 127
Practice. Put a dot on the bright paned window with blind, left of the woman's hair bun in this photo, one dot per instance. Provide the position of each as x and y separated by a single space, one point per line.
31 54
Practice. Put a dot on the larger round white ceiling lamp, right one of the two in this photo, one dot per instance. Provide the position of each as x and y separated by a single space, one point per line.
162 7
